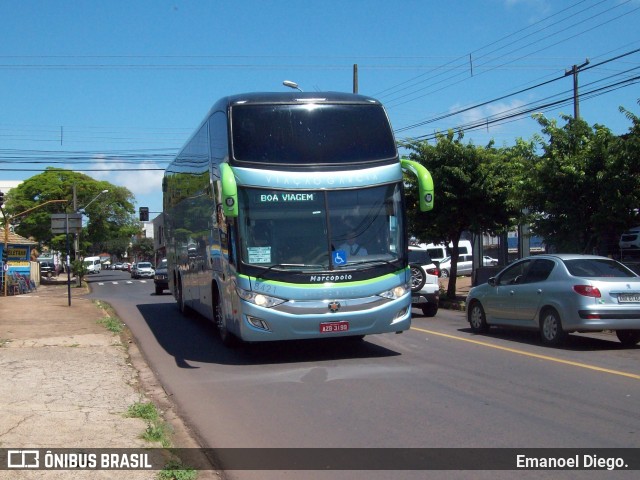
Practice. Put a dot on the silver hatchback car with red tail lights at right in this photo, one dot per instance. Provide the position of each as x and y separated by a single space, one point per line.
558 294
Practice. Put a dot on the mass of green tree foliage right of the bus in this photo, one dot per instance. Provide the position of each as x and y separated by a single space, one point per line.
578 185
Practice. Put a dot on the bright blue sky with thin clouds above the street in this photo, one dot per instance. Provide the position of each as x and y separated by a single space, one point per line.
114 89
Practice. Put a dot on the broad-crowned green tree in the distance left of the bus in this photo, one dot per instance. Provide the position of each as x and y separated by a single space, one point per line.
109 217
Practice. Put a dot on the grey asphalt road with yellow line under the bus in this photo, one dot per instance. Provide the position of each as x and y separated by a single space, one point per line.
437 385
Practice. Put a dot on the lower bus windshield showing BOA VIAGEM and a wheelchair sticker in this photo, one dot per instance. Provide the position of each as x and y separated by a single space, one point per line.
320 230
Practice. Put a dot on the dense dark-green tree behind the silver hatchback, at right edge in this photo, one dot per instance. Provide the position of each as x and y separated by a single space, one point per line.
584 187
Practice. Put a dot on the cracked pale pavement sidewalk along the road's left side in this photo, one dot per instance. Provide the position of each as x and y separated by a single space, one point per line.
67 382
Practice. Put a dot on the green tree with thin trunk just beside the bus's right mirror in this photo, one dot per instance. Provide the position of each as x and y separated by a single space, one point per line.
474 191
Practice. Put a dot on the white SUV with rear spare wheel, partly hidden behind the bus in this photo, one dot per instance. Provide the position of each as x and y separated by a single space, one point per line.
425 289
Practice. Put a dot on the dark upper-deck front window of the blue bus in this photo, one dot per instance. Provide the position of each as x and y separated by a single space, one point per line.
311 134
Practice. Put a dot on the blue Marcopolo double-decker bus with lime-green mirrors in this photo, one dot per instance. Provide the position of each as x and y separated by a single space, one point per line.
285 218
